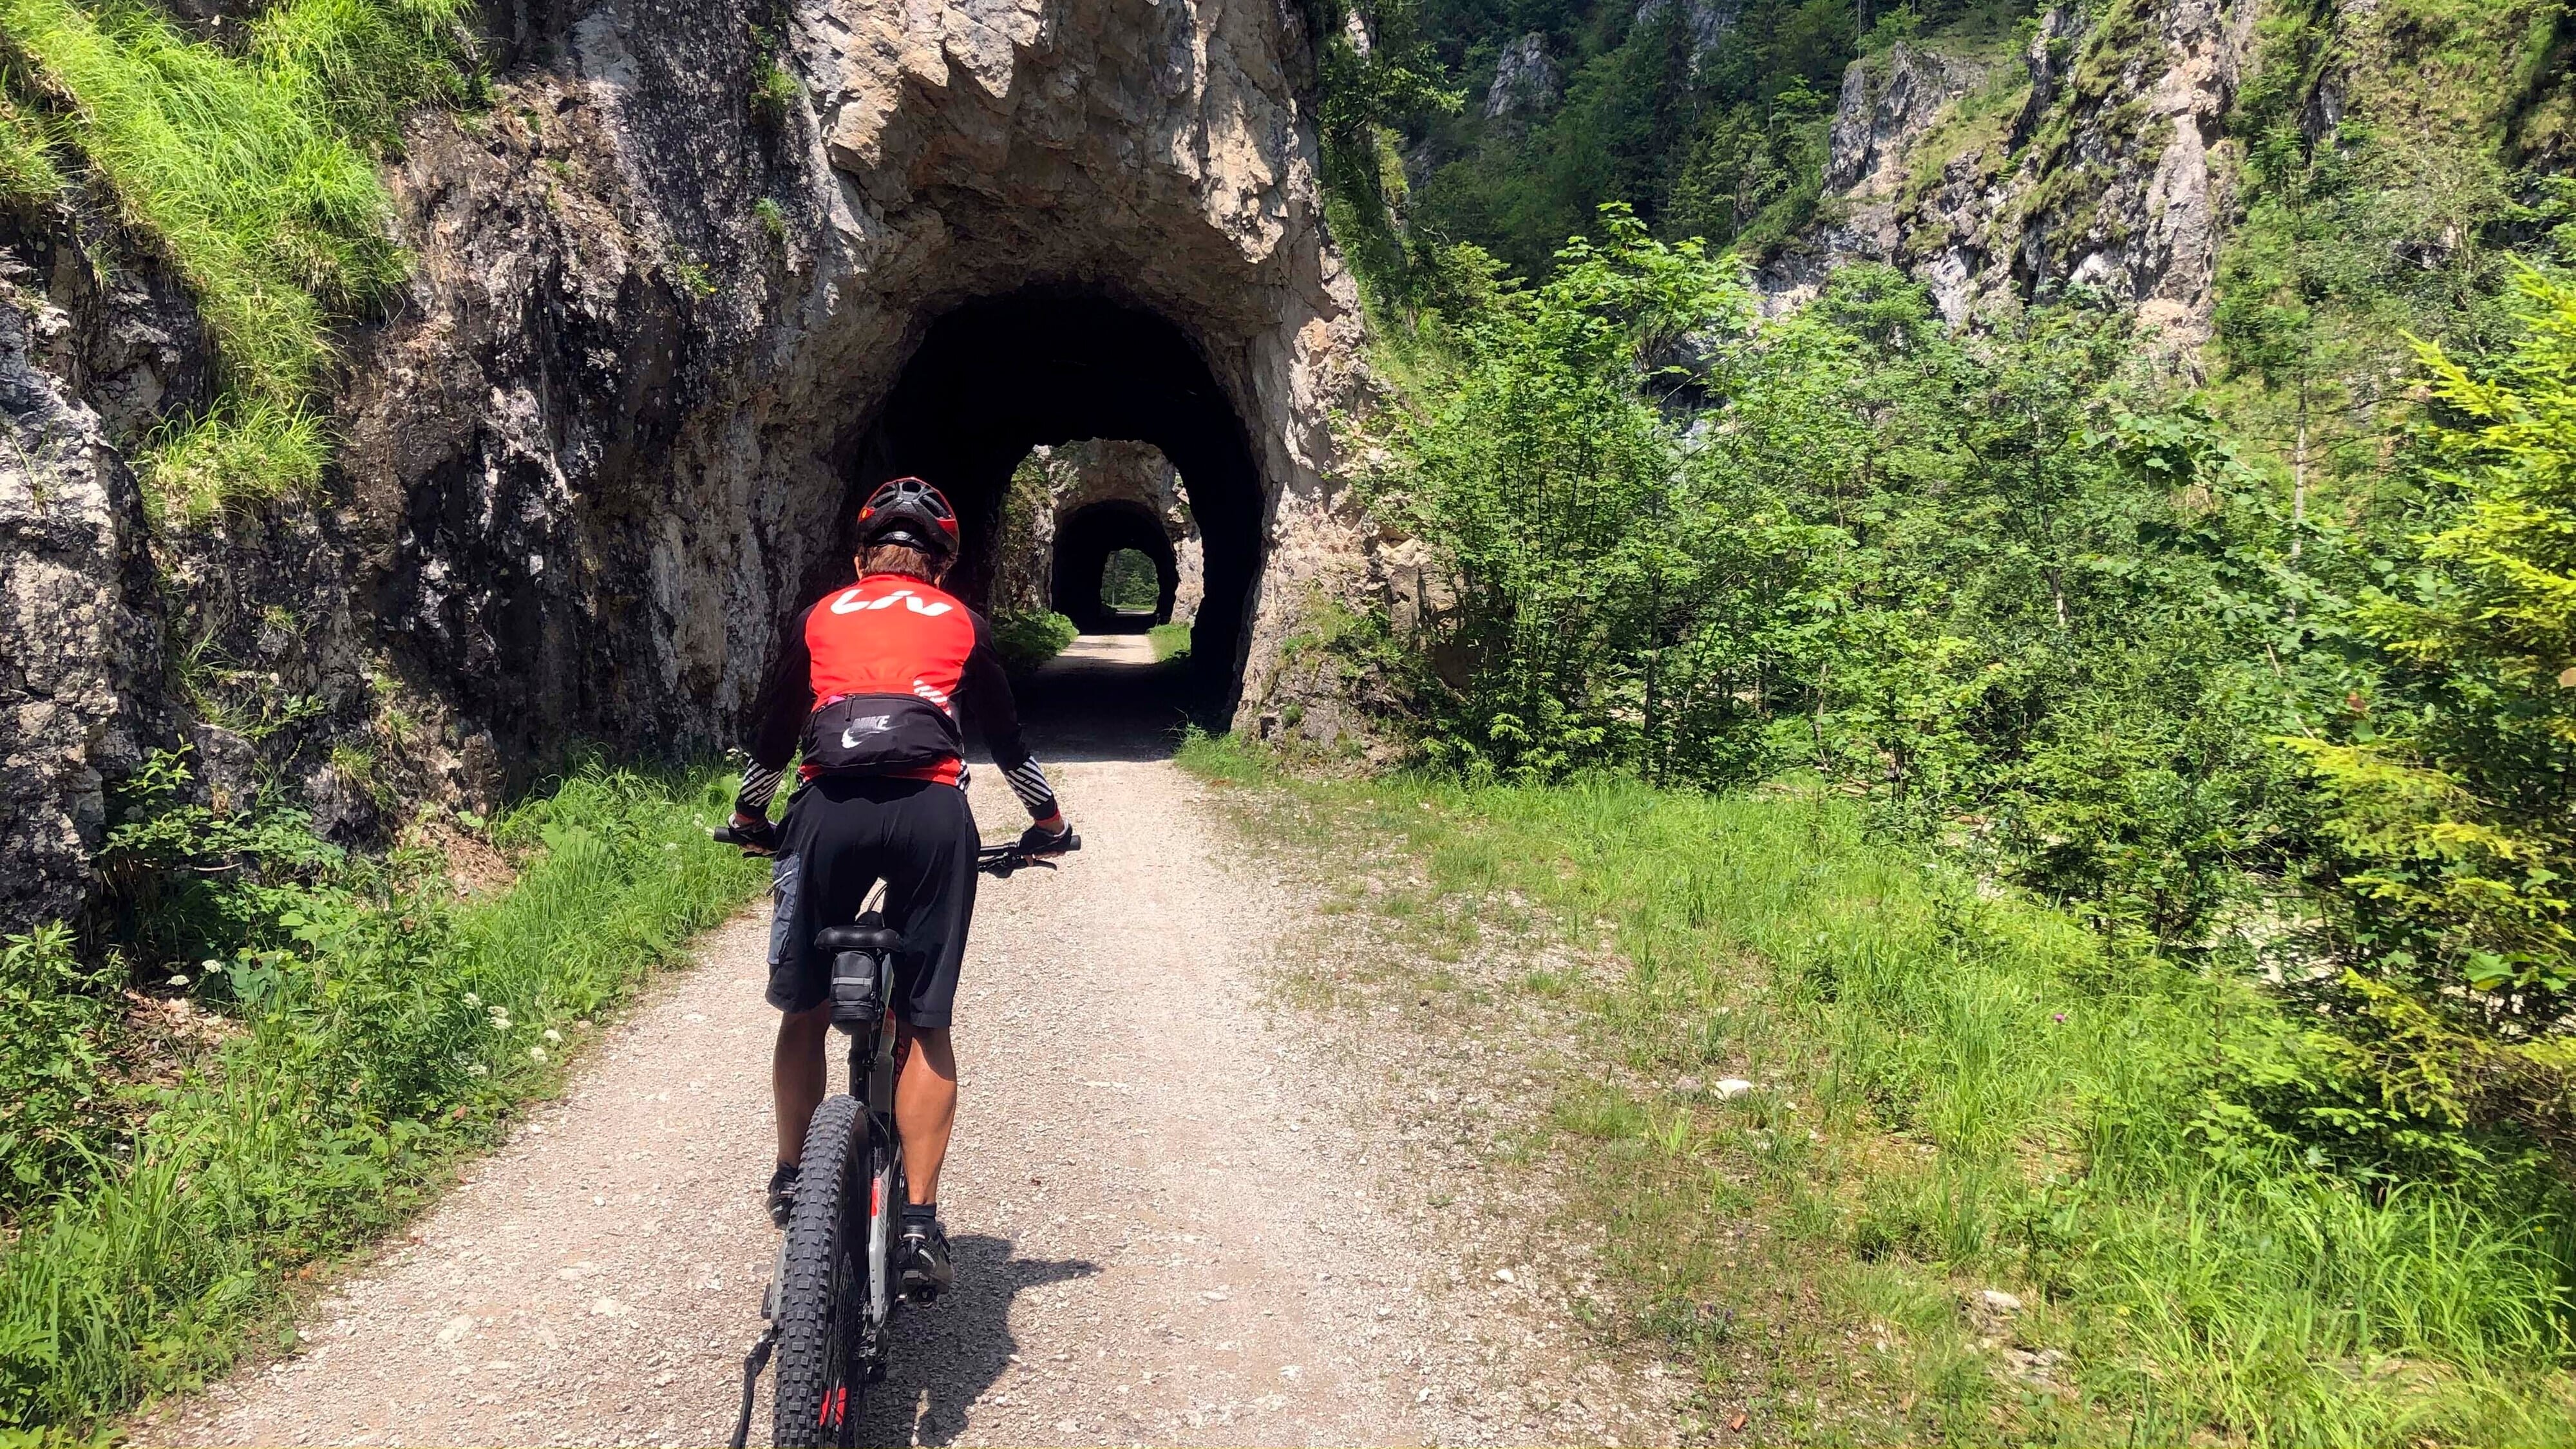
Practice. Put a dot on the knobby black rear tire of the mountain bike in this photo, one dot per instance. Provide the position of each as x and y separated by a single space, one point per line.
823 1298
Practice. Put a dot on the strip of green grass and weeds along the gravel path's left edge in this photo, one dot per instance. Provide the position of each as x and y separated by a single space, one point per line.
398 1030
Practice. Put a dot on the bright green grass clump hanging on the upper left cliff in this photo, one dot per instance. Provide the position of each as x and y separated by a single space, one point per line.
256 174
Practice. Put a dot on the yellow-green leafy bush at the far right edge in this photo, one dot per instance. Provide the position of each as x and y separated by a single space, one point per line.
2451 772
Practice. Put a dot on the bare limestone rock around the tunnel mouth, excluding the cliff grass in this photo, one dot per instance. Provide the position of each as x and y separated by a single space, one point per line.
666 321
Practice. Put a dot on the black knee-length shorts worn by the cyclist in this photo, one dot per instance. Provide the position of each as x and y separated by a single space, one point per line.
844 837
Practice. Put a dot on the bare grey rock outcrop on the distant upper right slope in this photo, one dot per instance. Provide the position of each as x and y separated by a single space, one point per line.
2111 171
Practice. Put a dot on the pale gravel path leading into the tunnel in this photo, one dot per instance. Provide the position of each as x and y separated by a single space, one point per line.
1160 1203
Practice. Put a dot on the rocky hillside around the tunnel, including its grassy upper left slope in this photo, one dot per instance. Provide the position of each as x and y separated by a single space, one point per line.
537 424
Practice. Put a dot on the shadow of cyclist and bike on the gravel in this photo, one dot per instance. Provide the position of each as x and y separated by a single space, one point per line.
960 1347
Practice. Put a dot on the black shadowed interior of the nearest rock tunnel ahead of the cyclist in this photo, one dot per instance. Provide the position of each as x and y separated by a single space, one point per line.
1003 375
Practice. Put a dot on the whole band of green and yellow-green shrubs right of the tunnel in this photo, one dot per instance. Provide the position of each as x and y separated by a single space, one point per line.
2036 607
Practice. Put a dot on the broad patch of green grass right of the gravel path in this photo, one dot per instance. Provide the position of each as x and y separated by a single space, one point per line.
1959 1089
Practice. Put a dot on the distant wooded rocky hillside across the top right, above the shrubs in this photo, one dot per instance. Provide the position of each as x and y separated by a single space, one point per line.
2003 153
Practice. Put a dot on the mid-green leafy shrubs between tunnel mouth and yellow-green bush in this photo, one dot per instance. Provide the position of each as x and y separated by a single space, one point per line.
1982 579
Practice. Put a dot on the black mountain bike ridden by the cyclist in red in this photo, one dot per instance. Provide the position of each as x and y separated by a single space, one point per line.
831 1298
